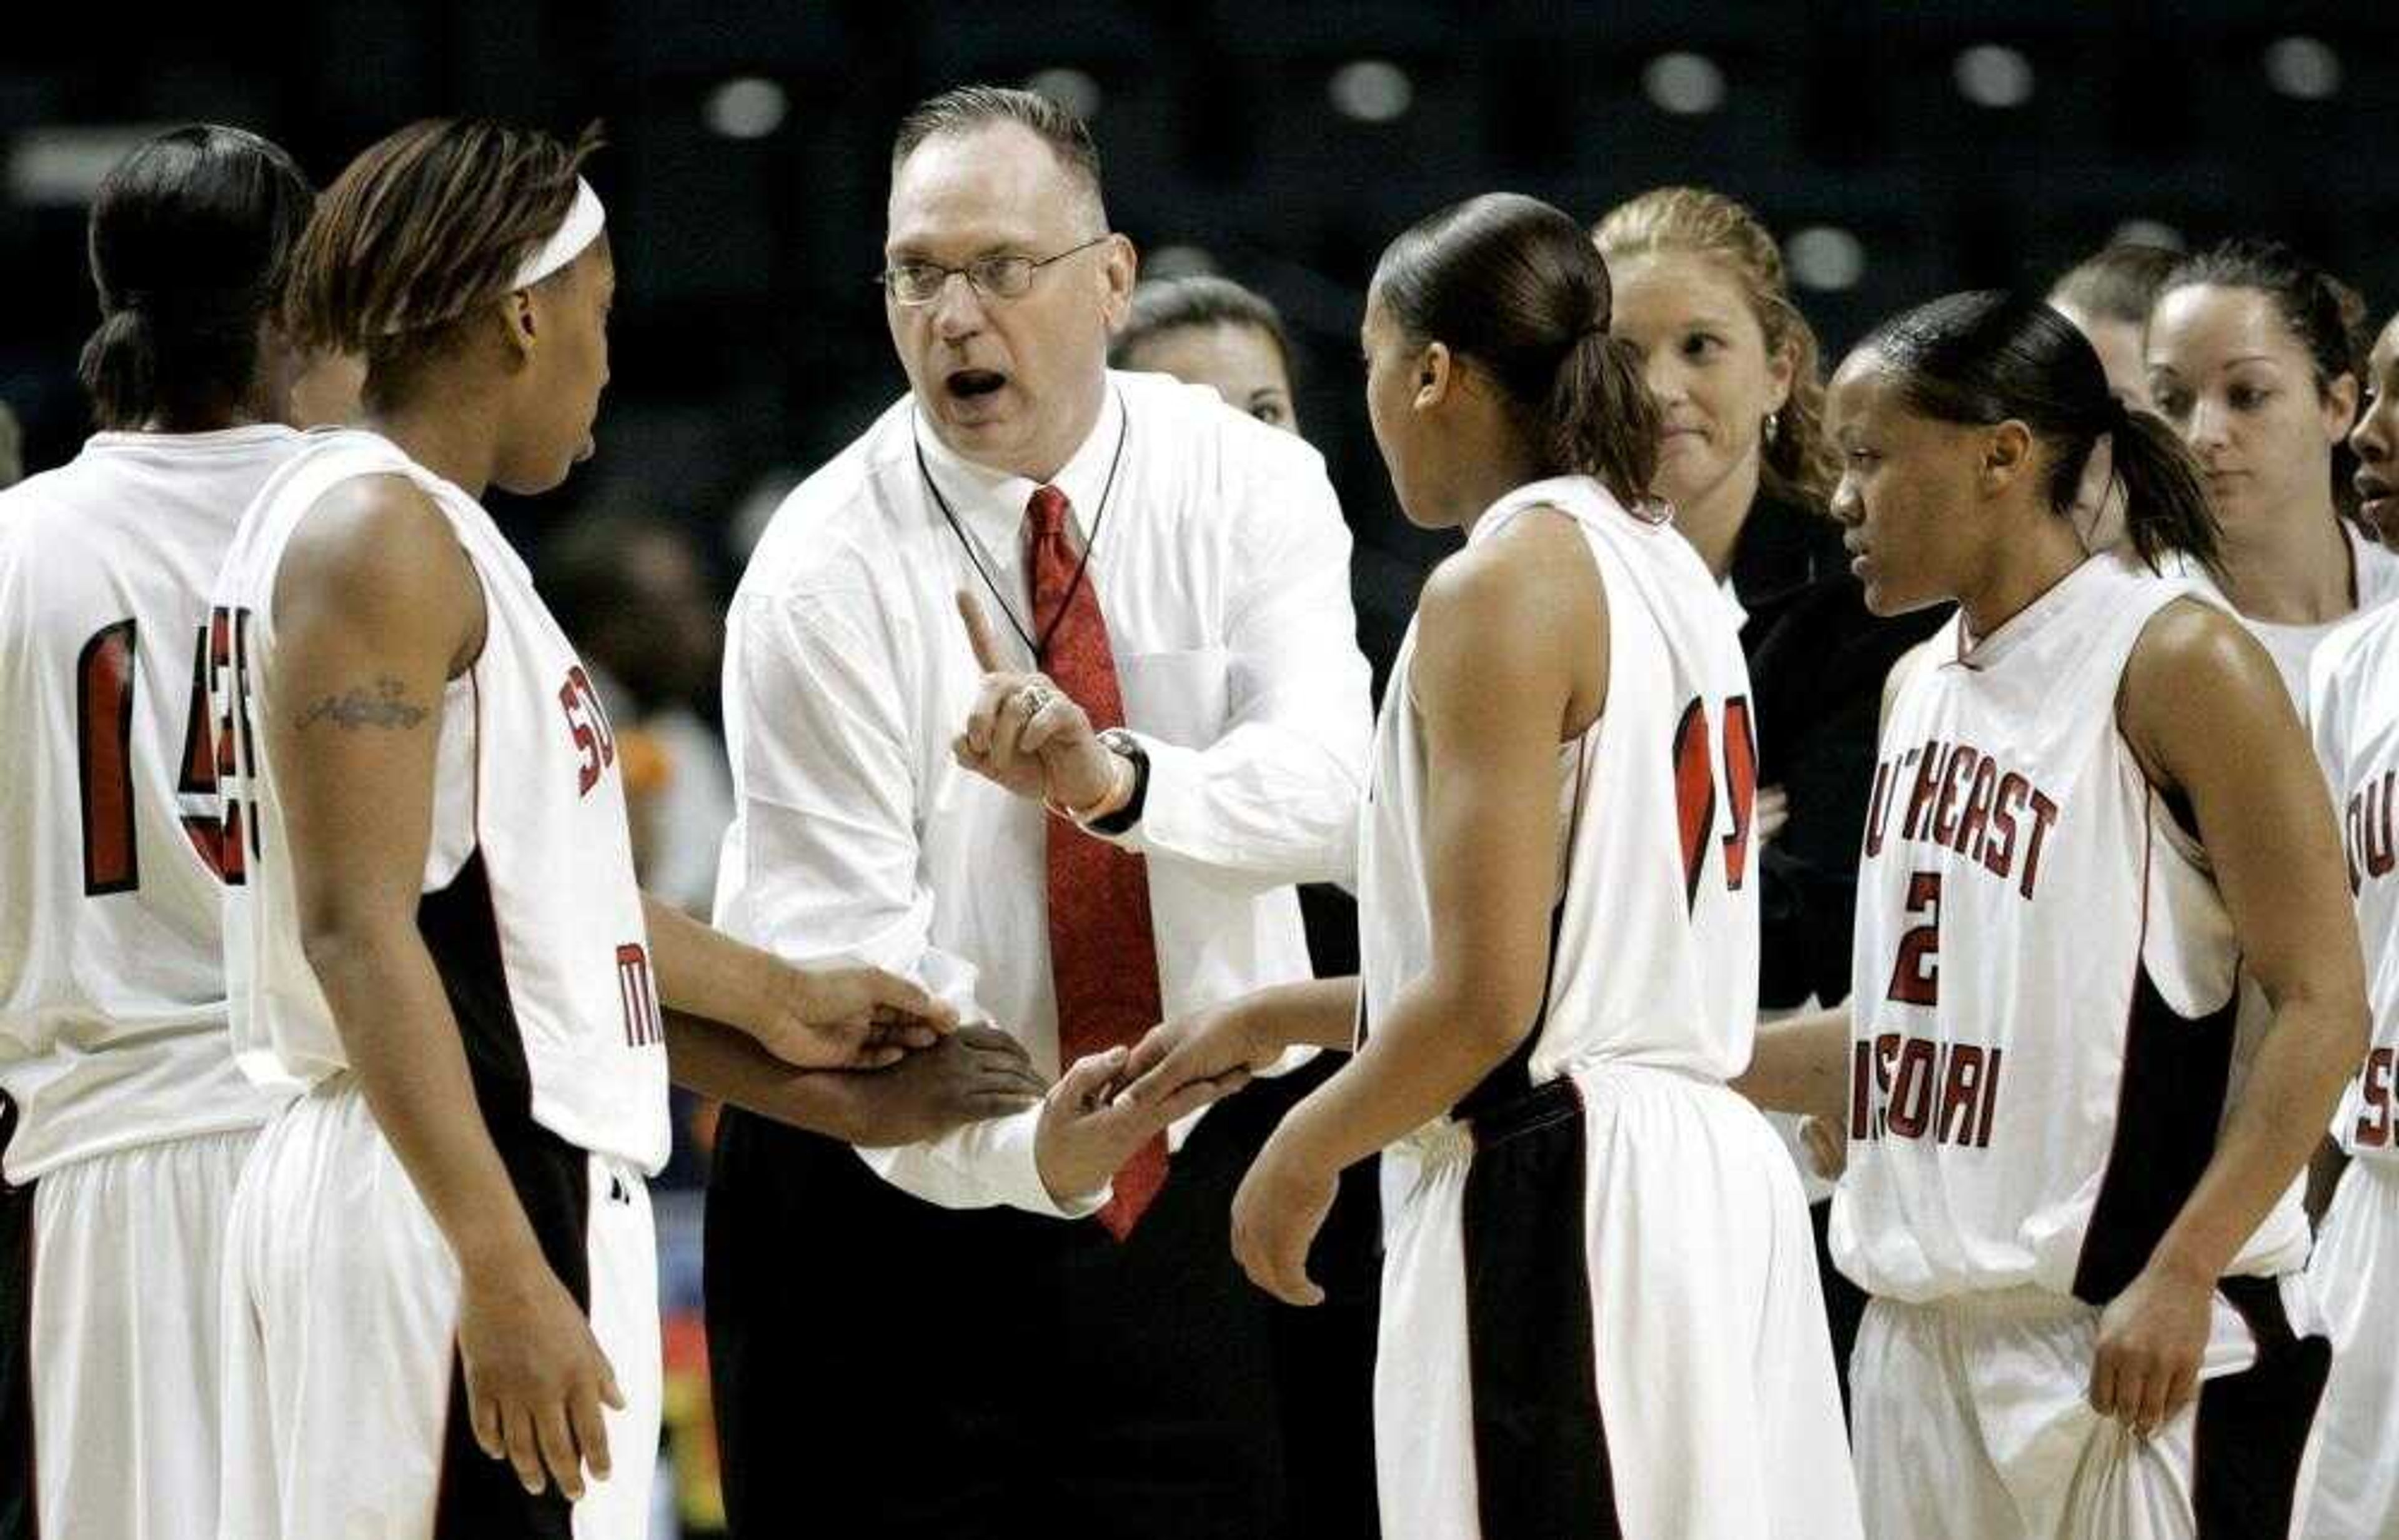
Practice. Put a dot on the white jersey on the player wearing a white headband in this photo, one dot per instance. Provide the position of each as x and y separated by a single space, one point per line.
531 910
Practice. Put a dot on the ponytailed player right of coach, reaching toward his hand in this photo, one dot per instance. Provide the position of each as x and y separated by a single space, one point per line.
1561 963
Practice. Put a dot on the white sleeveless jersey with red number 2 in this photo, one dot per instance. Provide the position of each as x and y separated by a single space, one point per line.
2048 1001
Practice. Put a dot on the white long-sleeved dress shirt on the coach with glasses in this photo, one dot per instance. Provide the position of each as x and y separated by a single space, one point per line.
1222 570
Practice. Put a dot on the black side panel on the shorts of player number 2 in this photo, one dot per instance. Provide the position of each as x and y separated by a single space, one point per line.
2254 1428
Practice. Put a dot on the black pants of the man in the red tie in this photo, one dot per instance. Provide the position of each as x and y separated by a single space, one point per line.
889 1368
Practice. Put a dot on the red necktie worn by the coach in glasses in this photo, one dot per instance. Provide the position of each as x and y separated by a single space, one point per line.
1105 956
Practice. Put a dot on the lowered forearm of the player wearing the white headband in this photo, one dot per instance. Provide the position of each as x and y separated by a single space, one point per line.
409 1059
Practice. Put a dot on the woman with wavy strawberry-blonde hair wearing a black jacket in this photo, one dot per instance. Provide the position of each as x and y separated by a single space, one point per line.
1745 462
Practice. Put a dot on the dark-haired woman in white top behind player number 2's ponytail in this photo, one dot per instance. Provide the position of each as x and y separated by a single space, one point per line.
2256 361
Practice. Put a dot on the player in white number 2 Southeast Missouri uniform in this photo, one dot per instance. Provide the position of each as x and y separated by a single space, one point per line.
2093 819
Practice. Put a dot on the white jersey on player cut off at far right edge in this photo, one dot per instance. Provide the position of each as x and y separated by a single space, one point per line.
2355 716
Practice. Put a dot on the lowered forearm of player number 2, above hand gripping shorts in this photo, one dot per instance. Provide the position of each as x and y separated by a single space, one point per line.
2309 1054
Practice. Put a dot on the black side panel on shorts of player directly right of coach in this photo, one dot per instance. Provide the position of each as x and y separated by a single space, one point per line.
1541 1450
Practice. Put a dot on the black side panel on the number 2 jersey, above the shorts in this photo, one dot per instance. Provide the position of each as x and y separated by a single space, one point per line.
2167 1112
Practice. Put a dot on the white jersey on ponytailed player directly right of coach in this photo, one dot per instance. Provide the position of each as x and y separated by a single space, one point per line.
1654 954
